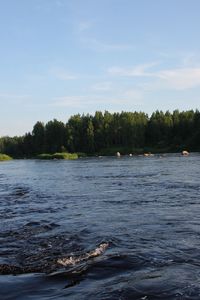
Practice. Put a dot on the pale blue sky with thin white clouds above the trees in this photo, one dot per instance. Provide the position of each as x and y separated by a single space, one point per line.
63 57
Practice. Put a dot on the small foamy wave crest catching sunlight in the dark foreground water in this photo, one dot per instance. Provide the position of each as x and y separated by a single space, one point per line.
72 260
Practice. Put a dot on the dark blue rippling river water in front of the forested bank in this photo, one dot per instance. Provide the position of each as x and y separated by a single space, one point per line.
146 209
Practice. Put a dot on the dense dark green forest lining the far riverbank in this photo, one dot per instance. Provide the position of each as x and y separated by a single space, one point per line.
106 133
